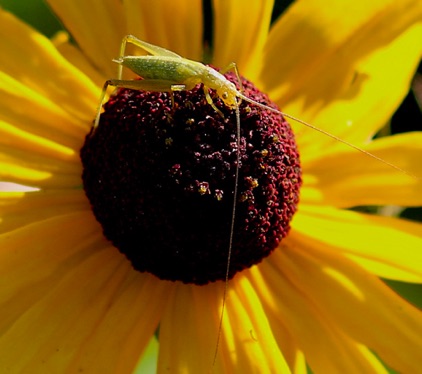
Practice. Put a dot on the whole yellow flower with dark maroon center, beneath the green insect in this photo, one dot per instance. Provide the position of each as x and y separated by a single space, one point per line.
71 301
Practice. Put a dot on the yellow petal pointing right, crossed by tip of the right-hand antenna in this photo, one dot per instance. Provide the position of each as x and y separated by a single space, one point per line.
350 178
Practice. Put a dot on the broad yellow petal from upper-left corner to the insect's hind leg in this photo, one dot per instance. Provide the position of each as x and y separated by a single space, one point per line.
33 60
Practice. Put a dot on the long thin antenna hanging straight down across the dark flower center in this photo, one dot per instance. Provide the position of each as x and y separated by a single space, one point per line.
226 283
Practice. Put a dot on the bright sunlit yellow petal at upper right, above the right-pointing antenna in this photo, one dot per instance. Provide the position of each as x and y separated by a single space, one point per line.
383 81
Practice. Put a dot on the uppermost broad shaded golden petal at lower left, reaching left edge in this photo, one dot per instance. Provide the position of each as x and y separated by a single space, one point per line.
72 233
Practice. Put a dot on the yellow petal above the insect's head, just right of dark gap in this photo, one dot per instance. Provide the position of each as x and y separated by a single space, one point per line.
240 33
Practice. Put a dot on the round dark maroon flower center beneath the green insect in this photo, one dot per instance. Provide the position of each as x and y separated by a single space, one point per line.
161 178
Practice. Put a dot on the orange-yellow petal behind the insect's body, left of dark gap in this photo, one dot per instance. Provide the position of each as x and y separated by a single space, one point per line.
175 25
